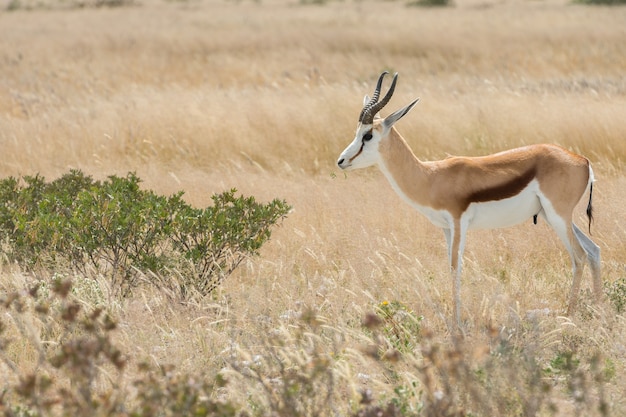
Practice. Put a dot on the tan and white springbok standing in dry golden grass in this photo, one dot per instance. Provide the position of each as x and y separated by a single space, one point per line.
462 193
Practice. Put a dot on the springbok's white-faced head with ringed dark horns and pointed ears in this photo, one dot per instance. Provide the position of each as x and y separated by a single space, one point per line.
371 129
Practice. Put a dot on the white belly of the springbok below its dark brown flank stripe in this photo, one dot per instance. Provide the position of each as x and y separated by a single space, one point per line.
505 213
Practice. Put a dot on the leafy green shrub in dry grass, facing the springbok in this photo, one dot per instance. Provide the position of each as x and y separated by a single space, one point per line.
129 233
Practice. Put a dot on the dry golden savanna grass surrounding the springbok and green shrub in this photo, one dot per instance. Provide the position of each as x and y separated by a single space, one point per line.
203 96
